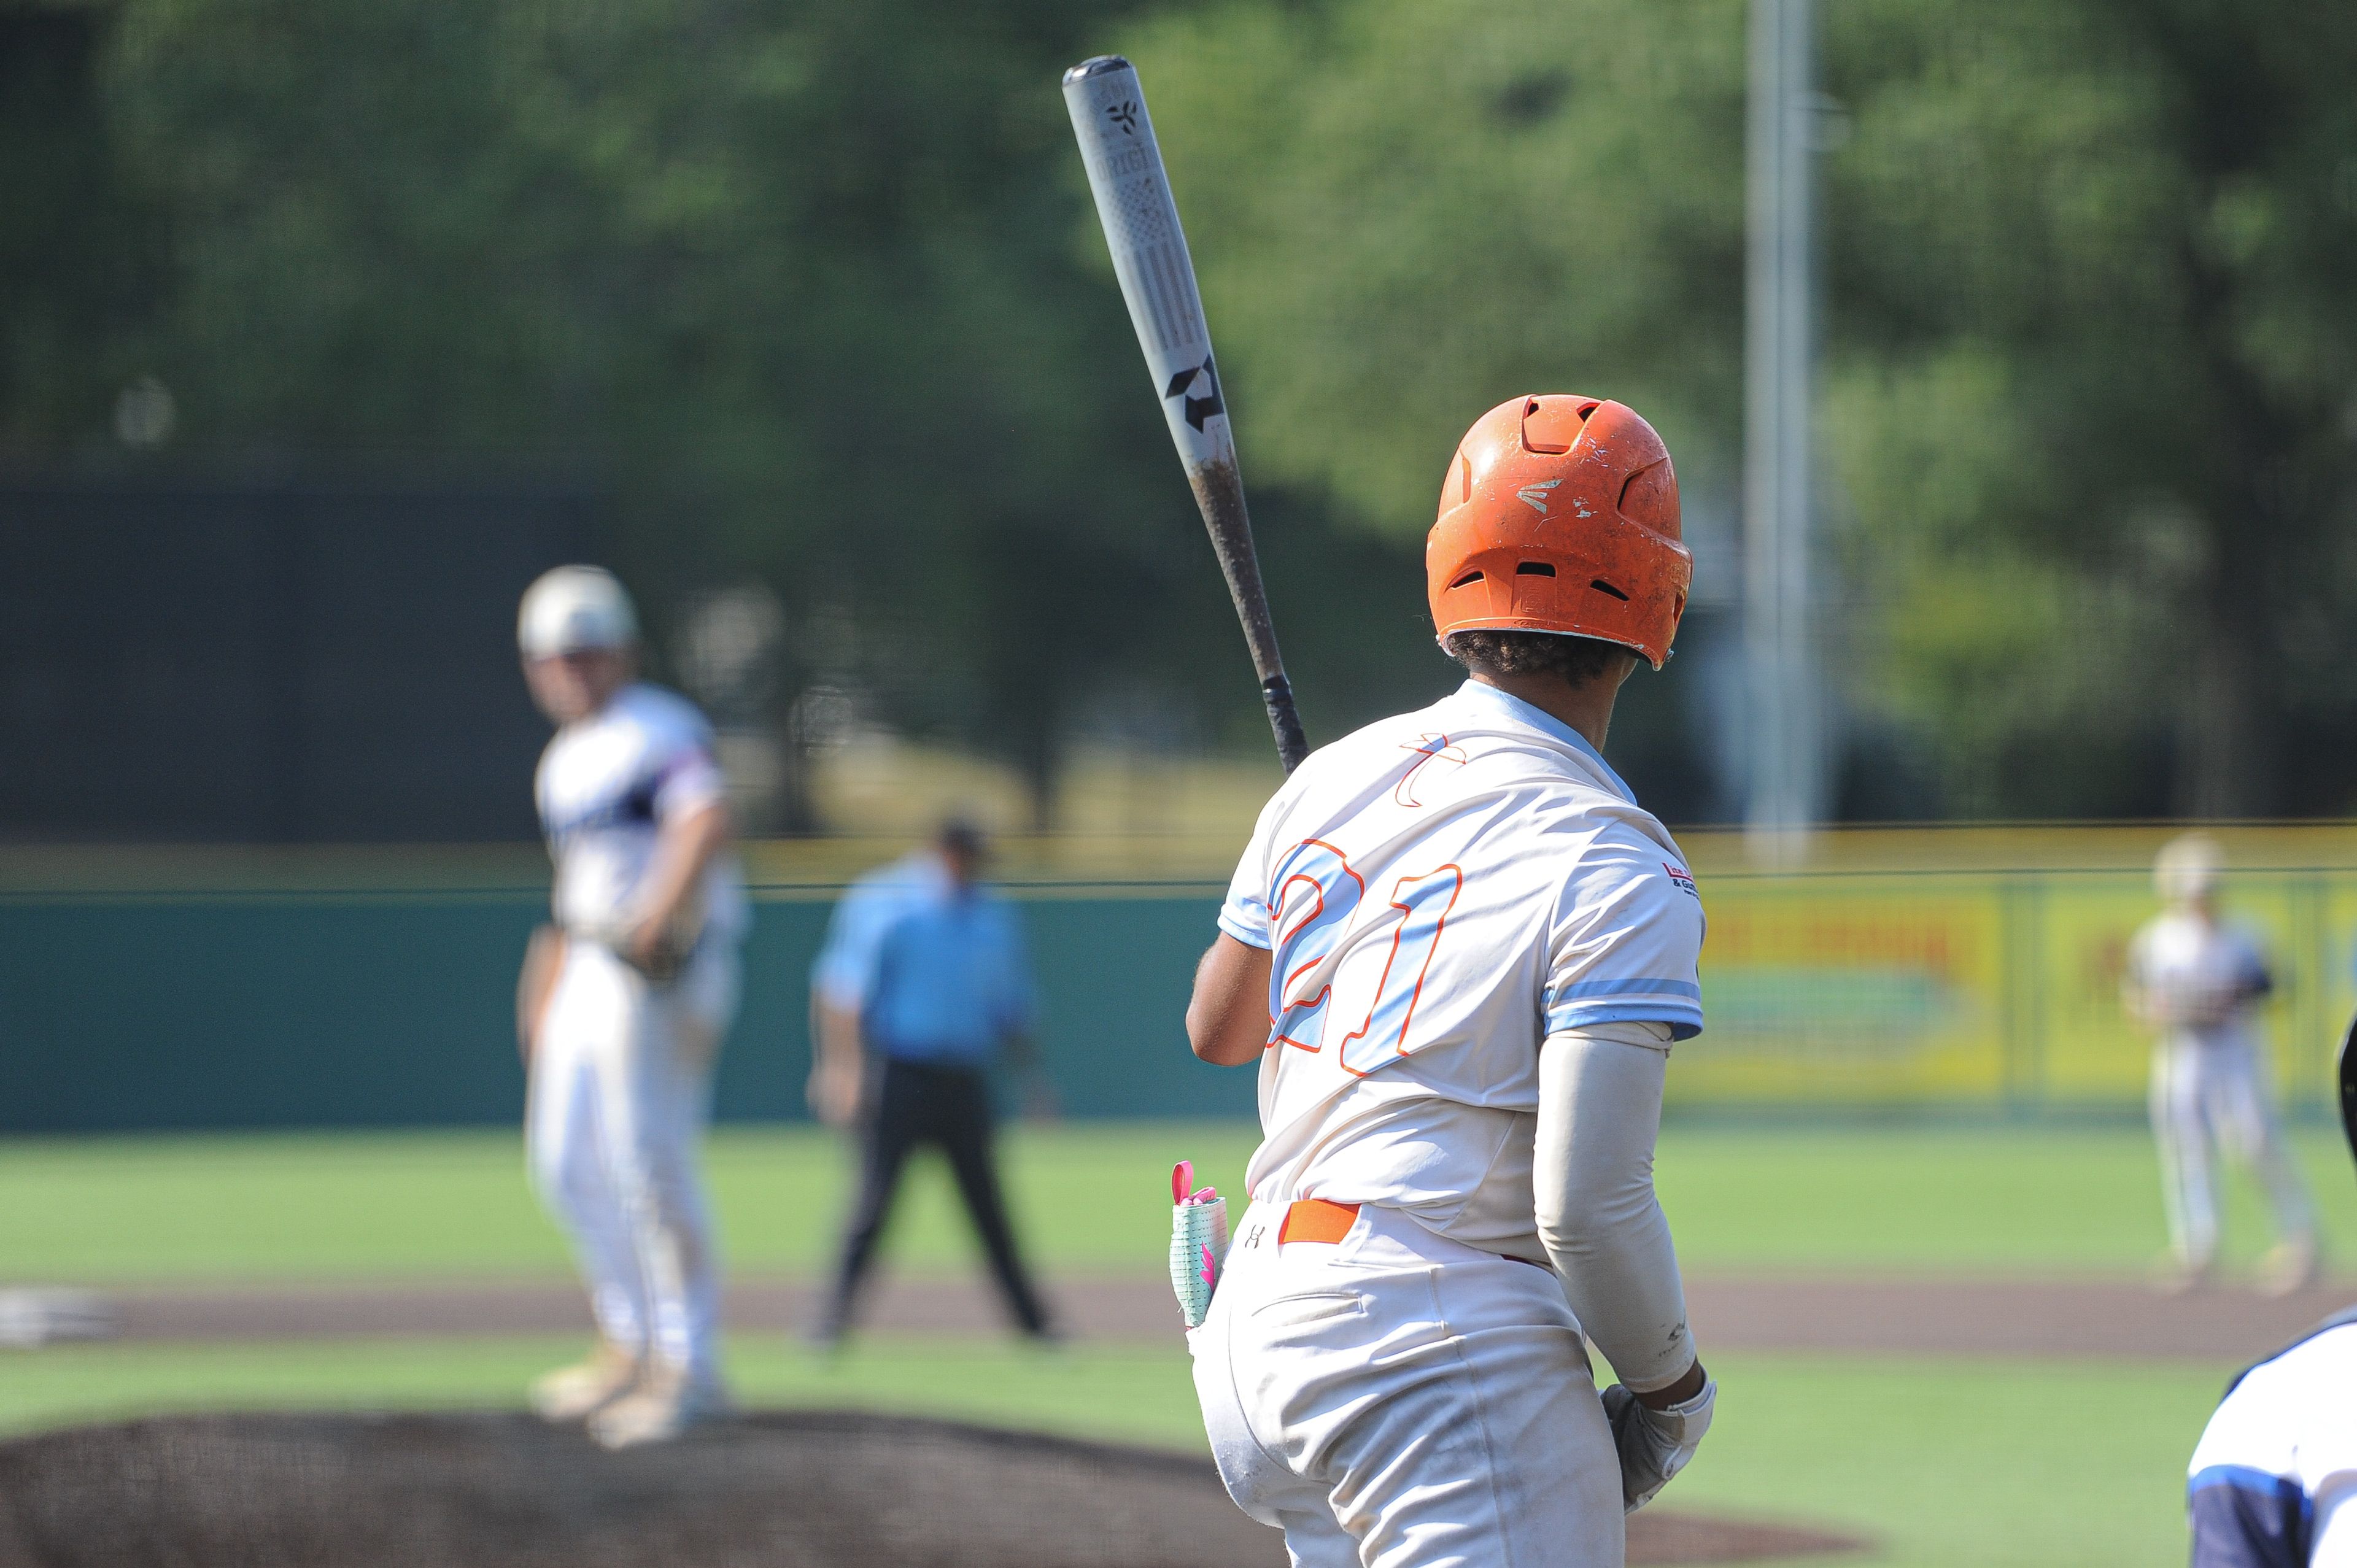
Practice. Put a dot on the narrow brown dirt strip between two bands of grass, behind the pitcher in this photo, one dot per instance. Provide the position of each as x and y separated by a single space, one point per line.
1736 1315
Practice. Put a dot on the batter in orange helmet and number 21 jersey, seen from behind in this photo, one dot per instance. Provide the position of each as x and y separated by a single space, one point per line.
1460 954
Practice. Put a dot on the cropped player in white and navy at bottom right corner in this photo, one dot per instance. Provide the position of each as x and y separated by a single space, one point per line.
2273 1482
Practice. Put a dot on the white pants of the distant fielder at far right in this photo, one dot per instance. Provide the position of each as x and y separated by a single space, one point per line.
2214 1098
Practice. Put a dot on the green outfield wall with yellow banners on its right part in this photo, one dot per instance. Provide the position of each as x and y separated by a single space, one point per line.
1899 973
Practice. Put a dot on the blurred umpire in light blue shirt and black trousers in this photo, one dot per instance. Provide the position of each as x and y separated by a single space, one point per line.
920 989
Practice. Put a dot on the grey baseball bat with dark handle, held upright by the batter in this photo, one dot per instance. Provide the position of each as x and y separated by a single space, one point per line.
1158 282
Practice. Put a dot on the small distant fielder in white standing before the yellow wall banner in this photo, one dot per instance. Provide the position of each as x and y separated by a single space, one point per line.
2196 982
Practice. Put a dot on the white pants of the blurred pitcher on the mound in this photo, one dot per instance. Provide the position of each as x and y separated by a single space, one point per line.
619 1100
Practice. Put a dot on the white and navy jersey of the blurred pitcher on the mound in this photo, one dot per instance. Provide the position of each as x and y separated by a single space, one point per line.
607 784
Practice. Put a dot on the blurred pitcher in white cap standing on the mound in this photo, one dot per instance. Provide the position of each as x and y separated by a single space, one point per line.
623 1006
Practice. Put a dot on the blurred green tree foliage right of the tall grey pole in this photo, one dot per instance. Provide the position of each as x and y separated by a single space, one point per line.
2097 393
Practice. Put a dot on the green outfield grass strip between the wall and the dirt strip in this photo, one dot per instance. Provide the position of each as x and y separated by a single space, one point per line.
1095 1199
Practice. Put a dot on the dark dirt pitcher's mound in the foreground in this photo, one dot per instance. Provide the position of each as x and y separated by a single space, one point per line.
774 1491
